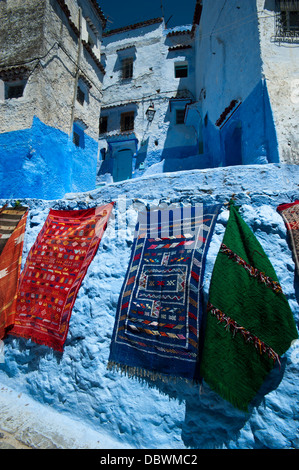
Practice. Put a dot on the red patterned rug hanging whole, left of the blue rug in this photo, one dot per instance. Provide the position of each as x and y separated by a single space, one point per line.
54 270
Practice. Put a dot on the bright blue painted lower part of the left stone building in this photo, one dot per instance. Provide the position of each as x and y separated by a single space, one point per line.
43 162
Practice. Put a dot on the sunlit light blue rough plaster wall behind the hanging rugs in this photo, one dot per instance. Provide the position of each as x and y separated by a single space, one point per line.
160 415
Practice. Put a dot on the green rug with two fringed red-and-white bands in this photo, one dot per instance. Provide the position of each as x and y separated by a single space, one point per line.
249 322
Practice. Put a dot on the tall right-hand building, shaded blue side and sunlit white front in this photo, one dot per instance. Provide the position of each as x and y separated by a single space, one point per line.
247 69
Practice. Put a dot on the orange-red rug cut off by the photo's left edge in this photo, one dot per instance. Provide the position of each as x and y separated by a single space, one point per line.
12 229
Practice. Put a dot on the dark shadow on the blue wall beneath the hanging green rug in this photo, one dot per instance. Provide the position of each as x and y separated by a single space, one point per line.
200 401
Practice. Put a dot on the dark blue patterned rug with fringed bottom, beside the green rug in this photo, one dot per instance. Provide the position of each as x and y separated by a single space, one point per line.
158 321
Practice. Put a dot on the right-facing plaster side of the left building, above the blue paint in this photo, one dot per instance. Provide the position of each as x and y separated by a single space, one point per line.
59 70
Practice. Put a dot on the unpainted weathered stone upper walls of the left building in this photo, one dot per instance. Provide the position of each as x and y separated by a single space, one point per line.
42 40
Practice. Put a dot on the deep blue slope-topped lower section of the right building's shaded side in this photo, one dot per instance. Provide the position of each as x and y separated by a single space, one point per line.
247 136
